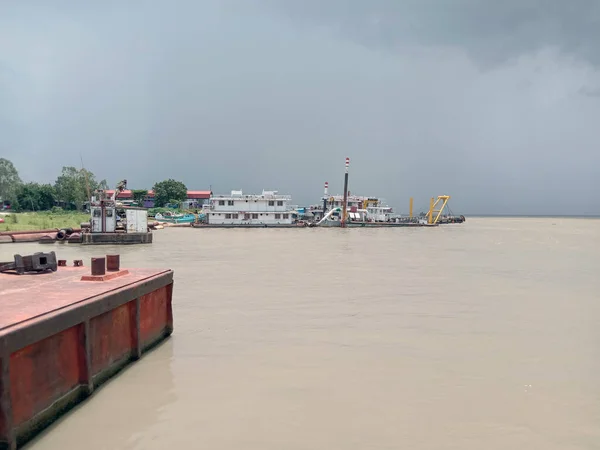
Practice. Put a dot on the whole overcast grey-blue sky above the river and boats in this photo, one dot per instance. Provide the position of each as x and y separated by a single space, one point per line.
494 103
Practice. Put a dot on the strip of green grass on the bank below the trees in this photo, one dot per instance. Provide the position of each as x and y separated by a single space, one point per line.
34 221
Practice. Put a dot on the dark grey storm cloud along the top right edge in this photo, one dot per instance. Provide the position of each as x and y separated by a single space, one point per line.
492 32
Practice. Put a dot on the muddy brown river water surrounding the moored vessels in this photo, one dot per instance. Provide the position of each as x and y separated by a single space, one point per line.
484 335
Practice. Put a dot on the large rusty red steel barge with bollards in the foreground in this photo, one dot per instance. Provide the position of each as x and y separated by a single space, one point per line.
64 330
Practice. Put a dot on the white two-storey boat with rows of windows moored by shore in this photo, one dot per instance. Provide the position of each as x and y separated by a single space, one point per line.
268 208
